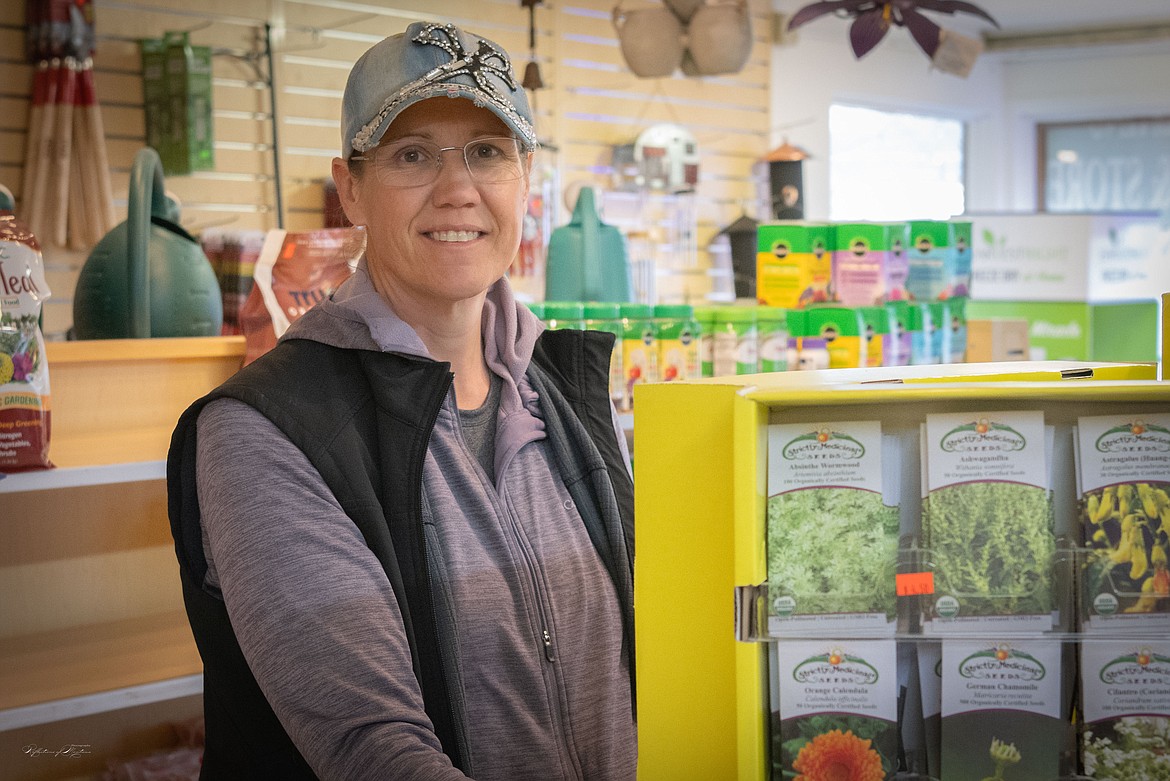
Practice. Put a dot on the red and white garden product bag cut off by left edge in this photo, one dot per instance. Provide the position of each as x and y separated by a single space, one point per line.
25 409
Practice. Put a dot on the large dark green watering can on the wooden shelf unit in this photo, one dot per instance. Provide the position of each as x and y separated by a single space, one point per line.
148 278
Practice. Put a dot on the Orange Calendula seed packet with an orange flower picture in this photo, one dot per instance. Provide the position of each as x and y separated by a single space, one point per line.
837 714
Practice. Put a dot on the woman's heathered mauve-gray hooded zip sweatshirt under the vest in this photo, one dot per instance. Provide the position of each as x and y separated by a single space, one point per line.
527 614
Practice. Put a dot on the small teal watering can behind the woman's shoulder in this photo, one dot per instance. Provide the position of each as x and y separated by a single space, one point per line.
588 259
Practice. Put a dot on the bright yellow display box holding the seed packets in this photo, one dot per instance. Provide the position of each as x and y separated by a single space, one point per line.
701 471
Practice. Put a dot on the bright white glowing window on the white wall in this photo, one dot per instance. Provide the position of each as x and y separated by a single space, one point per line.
889 167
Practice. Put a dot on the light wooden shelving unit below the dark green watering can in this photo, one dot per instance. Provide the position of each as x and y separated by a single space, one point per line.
92 618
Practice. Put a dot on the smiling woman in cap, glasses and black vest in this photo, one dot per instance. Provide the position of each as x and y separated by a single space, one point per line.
405 533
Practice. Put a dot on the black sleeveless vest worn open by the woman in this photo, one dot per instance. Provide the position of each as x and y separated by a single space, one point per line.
364 421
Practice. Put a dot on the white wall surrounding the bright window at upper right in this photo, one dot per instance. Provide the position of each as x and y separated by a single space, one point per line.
1002 100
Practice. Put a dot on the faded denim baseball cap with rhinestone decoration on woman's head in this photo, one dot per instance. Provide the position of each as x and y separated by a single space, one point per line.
430 60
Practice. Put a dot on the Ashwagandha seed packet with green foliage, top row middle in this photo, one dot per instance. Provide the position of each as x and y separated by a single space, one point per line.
988 526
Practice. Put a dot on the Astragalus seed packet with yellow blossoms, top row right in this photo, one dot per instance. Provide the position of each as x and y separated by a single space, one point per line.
1125 487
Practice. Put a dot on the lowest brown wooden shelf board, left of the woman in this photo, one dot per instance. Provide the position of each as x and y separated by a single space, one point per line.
85 661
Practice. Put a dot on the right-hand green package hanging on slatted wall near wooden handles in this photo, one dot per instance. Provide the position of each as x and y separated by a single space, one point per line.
189 81
